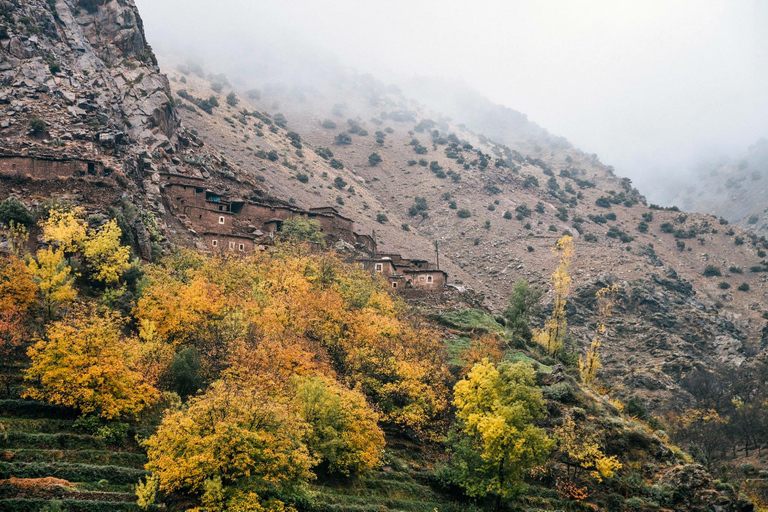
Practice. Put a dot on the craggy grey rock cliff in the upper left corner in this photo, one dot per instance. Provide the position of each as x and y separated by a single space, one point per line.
84 67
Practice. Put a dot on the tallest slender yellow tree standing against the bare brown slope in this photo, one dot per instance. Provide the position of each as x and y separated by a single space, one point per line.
552 337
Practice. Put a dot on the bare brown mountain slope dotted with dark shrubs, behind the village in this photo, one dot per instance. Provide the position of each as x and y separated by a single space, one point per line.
671 318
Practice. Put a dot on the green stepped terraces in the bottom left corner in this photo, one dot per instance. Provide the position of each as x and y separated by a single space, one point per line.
46 464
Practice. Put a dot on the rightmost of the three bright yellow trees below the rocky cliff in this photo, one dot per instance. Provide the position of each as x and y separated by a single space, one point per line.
104 254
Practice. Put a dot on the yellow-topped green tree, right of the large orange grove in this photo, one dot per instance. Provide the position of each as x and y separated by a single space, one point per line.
496 410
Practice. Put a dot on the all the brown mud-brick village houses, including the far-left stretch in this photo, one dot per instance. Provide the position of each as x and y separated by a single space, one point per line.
238 224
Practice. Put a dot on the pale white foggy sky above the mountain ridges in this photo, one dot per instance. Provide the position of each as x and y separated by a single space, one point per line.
652 87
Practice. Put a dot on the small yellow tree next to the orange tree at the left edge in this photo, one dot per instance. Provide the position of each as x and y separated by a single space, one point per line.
54 279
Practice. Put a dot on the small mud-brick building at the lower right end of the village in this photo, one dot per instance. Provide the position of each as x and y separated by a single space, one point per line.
405 274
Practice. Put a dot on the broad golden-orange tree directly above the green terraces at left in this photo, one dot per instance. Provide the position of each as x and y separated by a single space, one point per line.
84 362
